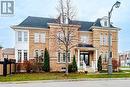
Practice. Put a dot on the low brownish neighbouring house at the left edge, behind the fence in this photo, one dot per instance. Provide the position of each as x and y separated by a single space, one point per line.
7 53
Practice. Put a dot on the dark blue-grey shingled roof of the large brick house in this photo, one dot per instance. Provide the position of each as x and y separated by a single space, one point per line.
41 22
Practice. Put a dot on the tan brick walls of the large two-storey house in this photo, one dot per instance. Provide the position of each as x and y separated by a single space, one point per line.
52 46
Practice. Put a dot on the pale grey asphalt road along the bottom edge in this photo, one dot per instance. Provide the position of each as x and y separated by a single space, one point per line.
98 83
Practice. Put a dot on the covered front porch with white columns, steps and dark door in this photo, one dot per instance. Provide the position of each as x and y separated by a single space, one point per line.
87 58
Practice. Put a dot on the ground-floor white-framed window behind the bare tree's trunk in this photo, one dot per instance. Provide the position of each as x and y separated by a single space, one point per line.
62 57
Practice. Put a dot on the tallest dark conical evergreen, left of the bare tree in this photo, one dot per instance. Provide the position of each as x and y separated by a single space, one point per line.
46 65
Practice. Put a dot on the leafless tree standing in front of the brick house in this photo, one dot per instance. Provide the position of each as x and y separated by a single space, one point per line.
66 35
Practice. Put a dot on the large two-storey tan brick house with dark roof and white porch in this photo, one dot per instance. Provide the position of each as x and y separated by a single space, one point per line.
35 34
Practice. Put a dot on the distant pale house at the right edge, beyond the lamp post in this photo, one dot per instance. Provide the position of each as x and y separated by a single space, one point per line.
124 58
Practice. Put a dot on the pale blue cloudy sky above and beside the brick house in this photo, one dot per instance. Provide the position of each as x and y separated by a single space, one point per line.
86 10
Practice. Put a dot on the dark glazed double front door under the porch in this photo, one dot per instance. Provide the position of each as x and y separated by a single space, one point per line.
84 60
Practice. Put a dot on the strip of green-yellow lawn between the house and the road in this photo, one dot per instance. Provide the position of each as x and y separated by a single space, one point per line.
60 76
